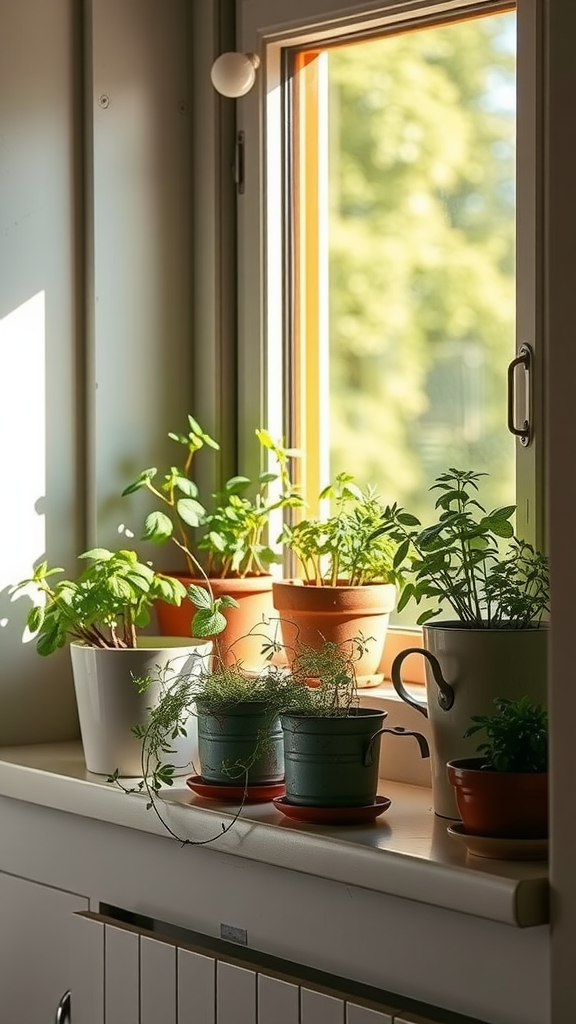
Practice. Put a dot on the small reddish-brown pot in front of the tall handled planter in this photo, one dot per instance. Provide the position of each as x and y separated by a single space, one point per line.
512 805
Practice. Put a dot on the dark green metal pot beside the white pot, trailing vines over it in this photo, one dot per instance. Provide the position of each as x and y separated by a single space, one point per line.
241 737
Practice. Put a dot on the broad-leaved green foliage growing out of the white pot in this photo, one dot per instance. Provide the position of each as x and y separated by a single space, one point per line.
105 607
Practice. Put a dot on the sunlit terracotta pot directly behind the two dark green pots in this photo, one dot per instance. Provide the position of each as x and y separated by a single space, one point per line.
311 615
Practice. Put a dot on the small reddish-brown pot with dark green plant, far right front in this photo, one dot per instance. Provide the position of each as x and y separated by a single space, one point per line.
505 792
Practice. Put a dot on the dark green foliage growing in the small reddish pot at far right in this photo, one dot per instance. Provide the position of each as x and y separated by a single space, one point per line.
517 737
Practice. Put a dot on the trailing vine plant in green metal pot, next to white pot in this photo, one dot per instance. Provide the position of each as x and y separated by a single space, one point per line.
240 742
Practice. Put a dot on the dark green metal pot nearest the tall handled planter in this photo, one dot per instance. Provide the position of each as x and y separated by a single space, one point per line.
333 762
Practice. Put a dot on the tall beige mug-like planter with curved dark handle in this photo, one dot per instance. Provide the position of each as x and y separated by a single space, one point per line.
467 669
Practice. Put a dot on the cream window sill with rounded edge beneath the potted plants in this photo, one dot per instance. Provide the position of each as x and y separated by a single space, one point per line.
407 854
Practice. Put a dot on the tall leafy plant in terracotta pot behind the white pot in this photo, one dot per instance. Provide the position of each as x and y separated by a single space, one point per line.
227 544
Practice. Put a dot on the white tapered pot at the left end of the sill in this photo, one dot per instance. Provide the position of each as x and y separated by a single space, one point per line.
109 705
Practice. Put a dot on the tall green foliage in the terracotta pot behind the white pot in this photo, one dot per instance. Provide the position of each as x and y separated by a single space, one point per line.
232 535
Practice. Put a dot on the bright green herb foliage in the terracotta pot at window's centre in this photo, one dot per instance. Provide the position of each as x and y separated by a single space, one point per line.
343 549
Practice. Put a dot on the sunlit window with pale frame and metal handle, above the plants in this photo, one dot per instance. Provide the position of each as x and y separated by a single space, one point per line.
397 204
